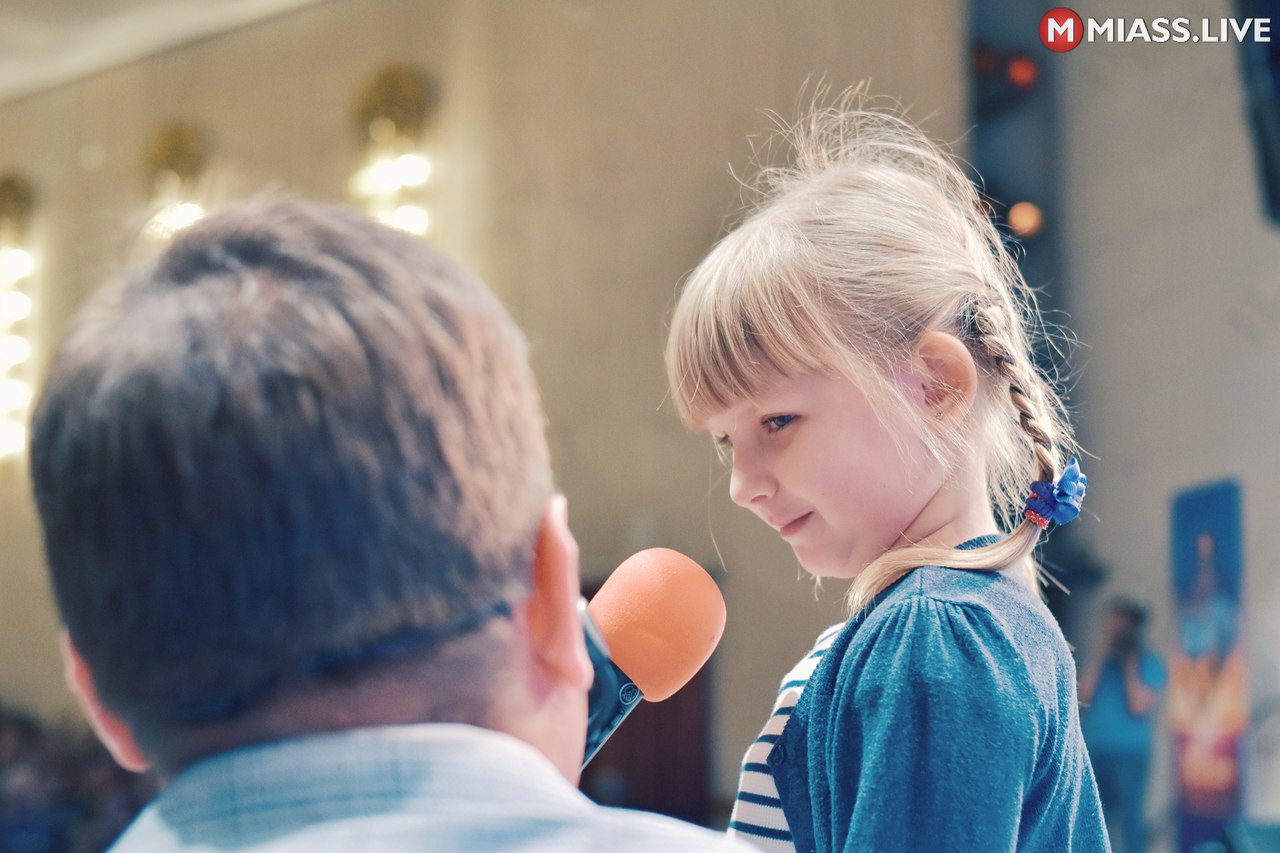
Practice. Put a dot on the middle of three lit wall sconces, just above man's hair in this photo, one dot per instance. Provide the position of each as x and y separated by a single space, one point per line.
175 163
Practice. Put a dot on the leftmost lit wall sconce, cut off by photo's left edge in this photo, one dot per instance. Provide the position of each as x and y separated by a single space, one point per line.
17 268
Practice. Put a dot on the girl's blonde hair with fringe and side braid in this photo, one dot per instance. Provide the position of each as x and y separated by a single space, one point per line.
870 238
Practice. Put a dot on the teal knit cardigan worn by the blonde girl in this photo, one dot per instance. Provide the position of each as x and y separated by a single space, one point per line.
943 719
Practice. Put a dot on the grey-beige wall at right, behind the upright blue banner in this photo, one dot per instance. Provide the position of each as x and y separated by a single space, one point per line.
1176 280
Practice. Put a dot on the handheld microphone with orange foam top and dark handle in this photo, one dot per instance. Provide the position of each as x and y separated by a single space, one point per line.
650 630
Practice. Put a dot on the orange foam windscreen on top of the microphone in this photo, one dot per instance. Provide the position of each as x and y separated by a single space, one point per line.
662 617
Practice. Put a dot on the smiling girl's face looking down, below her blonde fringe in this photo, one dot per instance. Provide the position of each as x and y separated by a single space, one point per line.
815 463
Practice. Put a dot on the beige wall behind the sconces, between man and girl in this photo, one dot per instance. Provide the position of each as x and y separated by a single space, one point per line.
582 154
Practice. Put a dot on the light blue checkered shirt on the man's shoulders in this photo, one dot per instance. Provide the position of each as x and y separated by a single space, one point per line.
395 790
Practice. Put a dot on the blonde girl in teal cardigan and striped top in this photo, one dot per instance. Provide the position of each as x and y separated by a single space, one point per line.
861 345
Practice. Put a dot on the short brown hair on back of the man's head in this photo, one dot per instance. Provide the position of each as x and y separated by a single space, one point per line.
296 450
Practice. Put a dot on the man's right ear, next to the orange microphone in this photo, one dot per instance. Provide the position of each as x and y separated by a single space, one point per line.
555 627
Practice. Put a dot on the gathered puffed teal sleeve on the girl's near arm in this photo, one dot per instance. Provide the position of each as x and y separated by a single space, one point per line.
934 733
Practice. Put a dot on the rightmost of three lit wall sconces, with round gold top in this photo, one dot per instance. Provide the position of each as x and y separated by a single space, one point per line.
394 175
